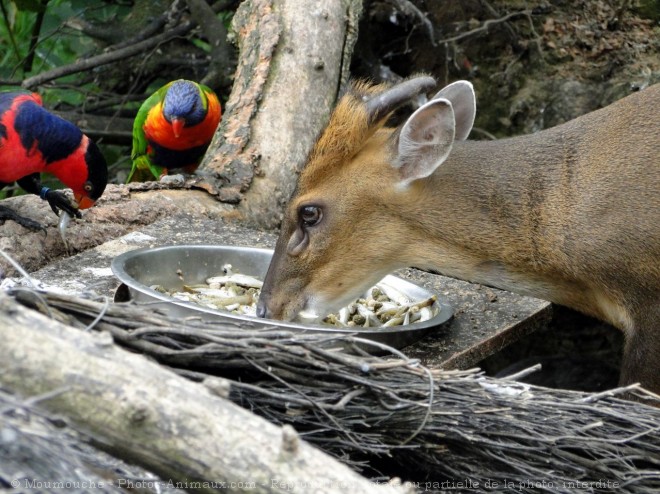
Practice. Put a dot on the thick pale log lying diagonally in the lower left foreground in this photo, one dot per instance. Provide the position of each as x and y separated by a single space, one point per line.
145 414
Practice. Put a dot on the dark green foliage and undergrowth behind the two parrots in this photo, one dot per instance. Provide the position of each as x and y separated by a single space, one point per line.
38 36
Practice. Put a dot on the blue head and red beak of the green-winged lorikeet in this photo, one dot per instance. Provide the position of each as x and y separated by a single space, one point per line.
184 105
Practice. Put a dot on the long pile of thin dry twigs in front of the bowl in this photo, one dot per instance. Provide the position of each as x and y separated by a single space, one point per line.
461 430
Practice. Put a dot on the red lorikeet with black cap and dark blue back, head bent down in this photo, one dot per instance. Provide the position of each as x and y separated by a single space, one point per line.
35 141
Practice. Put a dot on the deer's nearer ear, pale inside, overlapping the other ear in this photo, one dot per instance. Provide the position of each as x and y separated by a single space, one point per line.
425 140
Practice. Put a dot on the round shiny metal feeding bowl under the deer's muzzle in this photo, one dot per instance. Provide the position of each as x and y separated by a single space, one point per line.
172 267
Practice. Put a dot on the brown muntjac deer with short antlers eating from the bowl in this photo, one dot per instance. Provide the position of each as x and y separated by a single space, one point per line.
570 214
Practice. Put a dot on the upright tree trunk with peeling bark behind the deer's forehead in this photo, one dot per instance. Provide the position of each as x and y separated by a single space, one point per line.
294 59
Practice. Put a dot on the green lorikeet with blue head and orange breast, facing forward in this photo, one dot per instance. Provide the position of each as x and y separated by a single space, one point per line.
173 129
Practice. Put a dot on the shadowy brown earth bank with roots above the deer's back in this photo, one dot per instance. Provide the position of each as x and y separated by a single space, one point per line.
533 64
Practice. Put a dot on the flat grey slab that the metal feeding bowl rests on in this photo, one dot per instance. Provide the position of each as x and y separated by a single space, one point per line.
485 319
